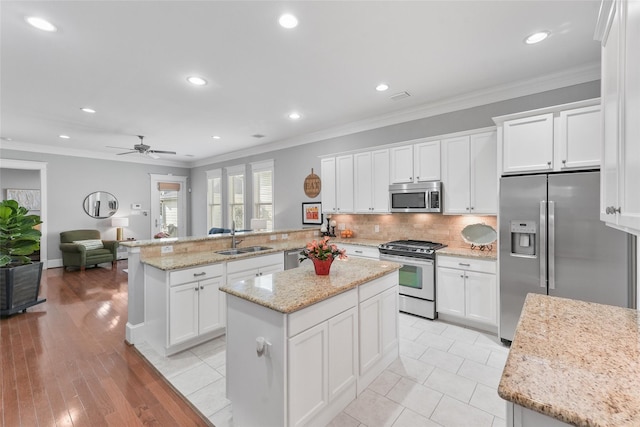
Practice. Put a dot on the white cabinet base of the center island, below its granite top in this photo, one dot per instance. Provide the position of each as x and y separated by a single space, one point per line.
312 368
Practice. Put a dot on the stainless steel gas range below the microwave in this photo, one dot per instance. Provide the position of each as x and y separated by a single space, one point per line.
417 275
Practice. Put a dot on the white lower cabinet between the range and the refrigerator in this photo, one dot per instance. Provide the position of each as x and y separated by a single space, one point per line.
467 288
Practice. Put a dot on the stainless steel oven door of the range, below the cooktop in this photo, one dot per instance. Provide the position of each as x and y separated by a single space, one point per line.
417 276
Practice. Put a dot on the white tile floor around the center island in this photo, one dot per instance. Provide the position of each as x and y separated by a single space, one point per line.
446 375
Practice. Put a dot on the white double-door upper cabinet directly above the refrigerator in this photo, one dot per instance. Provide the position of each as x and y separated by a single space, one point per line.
563 137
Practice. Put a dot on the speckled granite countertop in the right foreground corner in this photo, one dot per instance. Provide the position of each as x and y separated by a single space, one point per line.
575 361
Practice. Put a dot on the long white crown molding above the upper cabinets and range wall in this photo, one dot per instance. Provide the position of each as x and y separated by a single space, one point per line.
490 95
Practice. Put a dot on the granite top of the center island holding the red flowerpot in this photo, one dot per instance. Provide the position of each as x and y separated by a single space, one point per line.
295 289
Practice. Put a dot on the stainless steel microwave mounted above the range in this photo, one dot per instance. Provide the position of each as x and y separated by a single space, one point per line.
419 197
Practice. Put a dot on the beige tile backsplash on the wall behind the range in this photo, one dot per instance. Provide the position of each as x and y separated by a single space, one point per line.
435 227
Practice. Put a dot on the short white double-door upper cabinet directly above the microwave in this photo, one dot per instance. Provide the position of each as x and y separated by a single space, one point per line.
415 162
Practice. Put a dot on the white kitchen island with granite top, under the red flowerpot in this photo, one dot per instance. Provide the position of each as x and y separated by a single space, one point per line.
301 347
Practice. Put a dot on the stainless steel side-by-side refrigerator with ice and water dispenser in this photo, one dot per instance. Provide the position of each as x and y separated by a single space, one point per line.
553 242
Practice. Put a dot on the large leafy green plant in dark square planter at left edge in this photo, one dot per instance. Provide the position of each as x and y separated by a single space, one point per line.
19 276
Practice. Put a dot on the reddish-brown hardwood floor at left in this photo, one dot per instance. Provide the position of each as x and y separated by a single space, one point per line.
65 362
